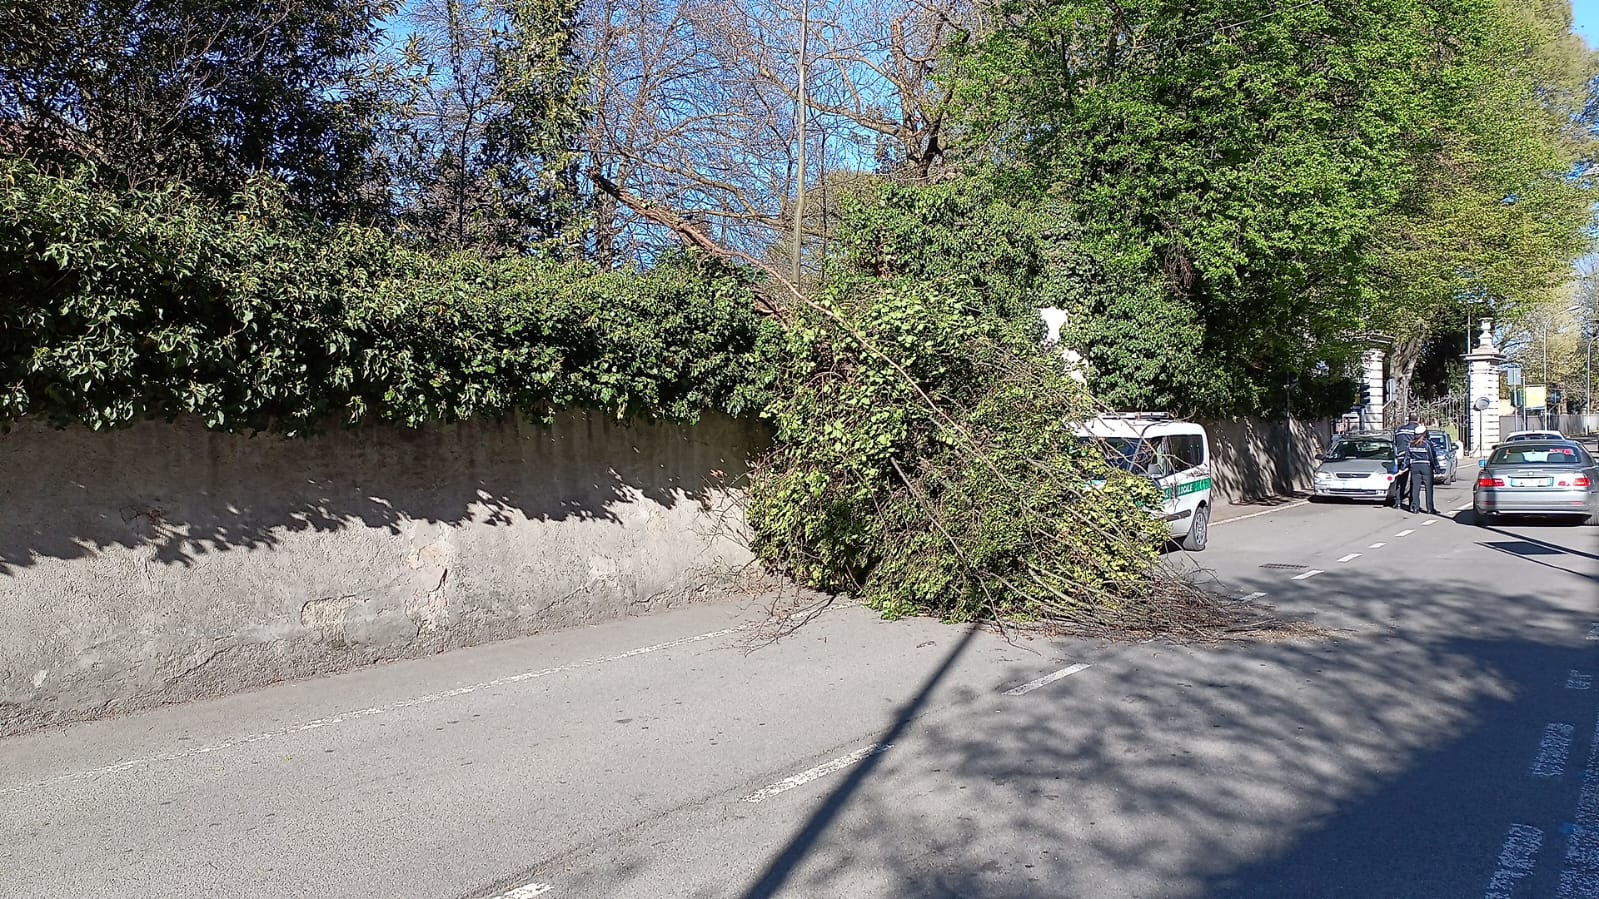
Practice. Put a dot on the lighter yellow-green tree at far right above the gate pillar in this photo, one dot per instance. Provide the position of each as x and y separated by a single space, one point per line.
1502 198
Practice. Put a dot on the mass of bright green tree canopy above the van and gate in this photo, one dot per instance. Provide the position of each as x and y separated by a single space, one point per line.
1262 182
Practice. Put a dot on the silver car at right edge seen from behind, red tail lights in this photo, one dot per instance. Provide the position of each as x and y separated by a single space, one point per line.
1537 477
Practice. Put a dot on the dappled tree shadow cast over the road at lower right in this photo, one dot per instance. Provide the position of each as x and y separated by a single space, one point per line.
1390 762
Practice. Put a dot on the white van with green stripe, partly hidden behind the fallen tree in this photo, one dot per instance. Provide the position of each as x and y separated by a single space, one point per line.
1176 455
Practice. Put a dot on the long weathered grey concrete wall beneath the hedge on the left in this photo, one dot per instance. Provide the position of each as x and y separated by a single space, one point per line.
167 562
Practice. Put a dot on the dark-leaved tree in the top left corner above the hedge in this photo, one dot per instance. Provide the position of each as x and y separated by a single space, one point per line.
204 92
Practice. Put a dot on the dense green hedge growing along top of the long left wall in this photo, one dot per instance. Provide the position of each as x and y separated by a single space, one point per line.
121 308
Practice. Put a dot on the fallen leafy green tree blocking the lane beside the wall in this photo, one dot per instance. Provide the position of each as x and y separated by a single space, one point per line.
925 457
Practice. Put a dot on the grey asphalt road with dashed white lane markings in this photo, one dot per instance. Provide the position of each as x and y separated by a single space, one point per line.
1441 741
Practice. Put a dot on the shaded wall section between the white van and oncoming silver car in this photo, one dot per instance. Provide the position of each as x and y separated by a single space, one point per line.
1256 460
